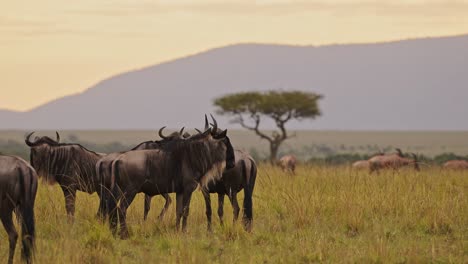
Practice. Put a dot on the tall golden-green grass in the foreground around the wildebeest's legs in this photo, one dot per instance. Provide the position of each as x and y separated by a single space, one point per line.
322 214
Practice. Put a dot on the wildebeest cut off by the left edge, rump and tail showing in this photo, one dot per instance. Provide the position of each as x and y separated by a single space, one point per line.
18 187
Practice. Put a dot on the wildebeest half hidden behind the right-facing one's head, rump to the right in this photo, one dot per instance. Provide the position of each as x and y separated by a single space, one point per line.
242 176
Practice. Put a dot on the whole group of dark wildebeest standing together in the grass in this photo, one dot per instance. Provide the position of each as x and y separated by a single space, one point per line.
179 163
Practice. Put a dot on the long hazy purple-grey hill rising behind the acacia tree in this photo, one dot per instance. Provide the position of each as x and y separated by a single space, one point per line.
419 84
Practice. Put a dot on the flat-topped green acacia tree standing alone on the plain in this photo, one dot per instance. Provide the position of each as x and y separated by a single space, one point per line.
248 108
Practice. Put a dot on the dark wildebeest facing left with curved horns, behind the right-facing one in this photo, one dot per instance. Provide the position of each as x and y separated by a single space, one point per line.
72 166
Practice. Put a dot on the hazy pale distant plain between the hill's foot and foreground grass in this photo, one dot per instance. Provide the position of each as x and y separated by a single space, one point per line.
306 144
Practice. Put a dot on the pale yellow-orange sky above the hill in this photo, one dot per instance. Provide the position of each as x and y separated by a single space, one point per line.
52 48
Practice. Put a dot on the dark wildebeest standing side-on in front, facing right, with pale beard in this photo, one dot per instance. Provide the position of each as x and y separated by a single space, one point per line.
180 167
